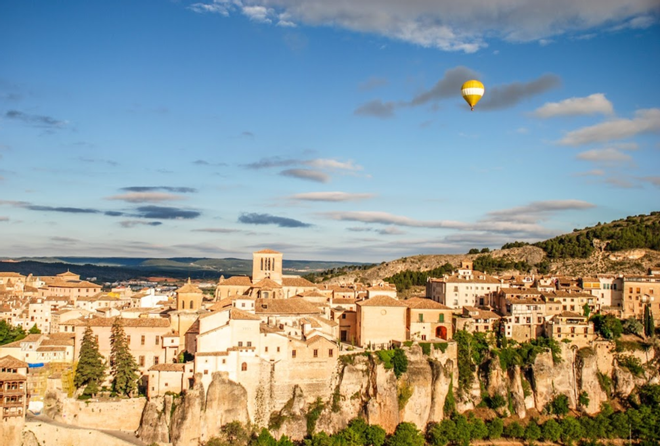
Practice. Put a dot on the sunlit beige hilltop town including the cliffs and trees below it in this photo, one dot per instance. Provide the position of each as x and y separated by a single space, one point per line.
468 357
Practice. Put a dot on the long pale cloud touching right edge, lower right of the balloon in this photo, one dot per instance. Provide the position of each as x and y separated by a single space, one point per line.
645 121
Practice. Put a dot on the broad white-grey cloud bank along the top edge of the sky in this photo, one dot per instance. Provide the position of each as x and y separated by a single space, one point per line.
451 25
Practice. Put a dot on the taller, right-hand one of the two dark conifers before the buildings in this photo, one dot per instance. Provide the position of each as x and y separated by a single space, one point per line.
123 367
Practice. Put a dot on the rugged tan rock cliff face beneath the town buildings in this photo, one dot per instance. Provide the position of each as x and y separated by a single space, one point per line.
361 386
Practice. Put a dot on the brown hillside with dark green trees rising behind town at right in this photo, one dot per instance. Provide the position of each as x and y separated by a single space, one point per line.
626 246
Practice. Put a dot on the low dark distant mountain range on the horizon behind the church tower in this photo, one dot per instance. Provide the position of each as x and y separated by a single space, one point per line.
111 269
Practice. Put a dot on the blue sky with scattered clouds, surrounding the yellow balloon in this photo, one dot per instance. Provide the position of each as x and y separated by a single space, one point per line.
325 130
